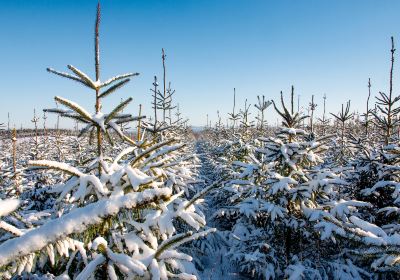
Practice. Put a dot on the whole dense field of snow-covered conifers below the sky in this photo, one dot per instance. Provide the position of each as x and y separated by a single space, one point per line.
146 197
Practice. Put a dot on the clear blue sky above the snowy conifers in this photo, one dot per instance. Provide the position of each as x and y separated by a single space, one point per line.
259 47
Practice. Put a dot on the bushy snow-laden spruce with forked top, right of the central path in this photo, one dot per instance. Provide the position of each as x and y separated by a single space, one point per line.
272 197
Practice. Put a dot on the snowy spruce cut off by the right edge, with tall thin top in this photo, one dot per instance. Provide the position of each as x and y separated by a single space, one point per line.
372 237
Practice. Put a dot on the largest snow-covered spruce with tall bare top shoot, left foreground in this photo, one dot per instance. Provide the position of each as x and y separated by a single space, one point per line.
114 217
